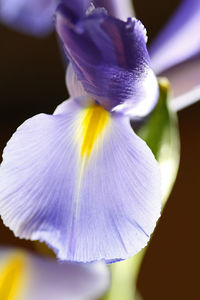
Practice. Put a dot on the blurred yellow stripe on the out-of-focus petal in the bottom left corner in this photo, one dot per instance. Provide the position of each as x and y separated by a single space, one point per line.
11 277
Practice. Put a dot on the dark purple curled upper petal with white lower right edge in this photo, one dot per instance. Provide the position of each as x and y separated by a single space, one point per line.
110 59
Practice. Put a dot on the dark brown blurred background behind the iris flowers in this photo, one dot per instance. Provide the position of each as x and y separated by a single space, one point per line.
32 81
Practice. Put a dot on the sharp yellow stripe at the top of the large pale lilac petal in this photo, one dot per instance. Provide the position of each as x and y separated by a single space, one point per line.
94 121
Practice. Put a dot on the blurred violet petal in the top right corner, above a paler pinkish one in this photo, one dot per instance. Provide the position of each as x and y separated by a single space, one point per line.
179 40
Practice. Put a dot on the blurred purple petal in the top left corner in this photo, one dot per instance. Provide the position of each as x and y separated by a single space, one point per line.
29 16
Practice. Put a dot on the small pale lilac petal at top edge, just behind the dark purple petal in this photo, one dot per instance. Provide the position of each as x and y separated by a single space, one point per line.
121 9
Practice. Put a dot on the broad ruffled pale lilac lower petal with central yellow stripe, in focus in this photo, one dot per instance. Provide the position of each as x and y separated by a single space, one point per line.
81 181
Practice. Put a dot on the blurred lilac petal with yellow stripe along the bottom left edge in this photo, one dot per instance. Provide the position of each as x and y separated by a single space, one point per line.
27 276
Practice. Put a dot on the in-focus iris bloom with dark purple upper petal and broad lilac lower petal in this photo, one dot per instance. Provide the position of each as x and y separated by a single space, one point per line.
81 180
